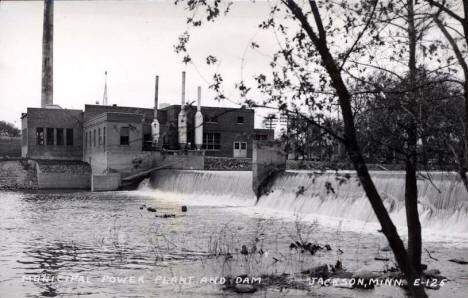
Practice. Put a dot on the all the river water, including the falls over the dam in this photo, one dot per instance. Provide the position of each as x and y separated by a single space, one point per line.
107 244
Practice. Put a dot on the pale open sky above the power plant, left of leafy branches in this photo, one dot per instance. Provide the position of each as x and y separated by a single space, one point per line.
133 40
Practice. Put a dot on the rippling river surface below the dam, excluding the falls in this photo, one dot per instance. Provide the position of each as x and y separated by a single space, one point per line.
79 243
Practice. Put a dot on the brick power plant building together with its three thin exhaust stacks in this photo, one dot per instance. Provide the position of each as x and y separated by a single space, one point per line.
125 140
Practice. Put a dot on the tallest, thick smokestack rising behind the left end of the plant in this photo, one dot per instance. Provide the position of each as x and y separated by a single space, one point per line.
47 87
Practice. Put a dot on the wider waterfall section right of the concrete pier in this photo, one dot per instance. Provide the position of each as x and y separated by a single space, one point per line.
442 197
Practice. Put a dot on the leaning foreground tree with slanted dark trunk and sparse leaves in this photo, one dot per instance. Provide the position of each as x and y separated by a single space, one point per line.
308 71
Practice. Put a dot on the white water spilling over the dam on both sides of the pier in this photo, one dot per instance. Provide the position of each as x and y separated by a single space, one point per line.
443 202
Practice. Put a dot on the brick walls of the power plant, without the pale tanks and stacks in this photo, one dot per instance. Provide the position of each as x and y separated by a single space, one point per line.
87 135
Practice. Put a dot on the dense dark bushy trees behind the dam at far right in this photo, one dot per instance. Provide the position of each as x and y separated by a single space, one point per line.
440 119
